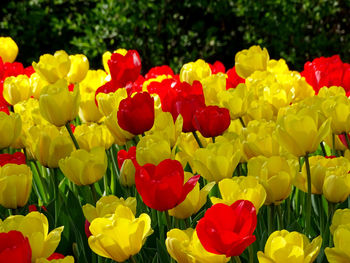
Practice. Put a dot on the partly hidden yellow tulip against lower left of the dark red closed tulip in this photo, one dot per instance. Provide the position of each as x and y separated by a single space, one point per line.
120 135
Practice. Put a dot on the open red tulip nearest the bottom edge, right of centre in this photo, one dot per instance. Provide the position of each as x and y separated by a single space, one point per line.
228 230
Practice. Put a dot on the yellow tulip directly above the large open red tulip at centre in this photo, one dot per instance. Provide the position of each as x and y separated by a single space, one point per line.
152 149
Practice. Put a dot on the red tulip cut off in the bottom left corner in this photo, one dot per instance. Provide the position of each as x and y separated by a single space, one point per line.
14 247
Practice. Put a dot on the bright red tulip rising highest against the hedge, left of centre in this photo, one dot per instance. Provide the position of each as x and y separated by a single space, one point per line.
126 68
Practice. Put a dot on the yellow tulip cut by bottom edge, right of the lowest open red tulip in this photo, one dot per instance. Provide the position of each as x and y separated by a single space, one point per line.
290 247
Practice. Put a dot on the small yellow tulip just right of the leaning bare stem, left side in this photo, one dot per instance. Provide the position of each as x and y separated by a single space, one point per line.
93 135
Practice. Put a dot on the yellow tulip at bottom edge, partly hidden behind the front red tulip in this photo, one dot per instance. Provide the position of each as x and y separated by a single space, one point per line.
185 247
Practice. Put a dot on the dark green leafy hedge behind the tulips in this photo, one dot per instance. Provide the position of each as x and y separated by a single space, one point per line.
176 32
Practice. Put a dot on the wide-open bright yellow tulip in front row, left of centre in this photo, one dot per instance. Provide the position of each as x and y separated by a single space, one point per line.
121 235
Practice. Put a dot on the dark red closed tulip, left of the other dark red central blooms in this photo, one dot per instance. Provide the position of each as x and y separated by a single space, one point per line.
136 114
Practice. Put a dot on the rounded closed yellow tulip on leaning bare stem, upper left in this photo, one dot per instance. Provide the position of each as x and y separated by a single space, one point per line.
57 104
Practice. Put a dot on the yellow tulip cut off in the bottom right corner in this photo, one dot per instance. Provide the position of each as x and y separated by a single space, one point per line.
340 252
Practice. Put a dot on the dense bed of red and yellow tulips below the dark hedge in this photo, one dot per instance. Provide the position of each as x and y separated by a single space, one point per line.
246 164
